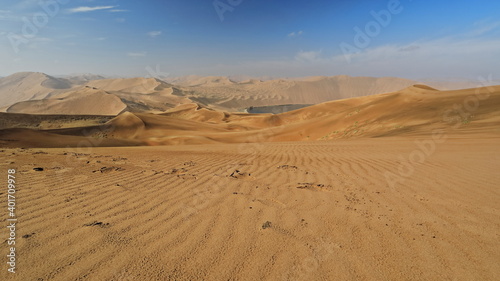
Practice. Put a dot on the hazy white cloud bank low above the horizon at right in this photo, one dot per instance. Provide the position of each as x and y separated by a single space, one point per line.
446 57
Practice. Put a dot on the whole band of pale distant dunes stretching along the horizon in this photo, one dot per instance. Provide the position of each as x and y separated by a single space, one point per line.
220 93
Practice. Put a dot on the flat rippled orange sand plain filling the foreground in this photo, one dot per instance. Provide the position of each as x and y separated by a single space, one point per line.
277 211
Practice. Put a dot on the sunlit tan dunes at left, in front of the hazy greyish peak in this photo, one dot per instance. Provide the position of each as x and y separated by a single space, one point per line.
102 97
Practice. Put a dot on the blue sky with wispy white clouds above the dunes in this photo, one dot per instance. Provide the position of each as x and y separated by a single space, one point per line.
411 39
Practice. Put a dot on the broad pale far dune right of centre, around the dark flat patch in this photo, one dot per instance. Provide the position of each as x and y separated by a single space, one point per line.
232 96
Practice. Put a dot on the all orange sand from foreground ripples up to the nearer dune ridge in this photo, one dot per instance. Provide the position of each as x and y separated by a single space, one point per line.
395 186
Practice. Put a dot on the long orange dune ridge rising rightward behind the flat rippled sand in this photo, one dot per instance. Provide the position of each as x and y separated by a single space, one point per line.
413 111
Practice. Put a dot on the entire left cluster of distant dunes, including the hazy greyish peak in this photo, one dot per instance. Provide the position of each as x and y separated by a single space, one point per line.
38 93
